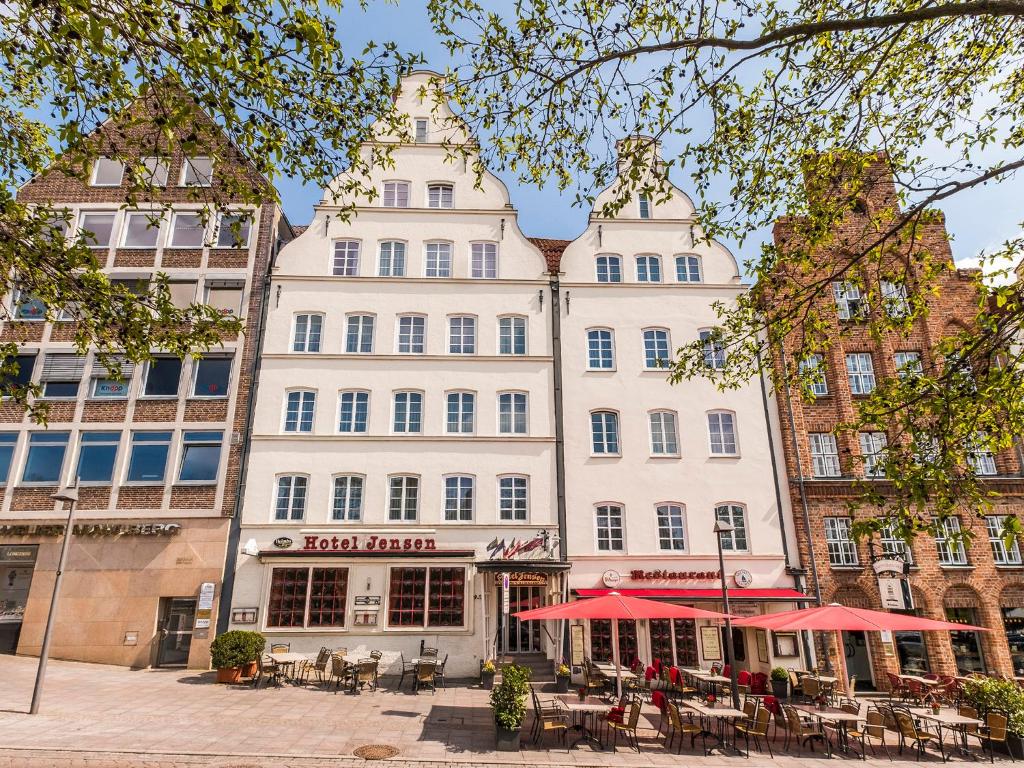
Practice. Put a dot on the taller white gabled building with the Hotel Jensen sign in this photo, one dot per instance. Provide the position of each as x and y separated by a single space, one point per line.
405 420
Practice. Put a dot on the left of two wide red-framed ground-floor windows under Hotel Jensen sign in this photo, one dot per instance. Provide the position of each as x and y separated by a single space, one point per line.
308 598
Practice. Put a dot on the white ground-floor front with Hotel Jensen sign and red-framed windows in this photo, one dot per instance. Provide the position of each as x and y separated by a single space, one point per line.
398 592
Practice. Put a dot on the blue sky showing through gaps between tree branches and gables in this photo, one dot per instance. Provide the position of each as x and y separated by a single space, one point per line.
978 220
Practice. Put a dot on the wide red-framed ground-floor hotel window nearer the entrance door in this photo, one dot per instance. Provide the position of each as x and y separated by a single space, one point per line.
428 598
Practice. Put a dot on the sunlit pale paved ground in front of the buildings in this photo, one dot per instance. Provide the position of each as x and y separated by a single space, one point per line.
95 716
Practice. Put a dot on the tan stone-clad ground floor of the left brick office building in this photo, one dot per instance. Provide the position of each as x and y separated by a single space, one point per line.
136 592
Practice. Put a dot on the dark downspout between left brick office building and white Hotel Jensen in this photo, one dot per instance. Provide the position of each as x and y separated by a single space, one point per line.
235 531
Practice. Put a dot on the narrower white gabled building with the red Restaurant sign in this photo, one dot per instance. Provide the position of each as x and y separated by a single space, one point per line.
649 465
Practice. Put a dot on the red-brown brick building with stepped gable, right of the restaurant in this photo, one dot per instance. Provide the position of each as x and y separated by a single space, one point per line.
980 583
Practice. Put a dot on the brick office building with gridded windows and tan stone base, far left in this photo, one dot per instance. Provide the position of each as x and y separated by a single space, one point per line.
156 457
